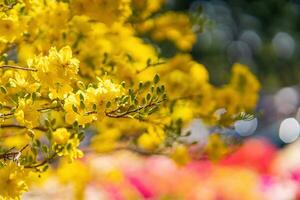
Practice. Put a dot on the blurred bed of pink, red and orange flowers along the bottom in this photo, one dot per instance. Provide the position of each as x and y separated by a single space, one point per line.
266 173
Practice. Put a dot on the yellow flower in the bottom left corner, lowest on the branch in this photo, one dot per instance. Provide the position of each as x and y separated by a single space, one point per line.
12 181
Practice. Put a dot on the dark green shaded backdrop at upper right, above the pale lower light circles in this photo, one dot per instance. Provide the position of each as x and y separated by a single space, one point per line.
264 34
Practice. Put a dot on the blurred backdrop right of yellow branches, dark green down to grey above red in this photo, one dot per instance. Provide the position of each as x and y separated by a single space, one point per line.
262 34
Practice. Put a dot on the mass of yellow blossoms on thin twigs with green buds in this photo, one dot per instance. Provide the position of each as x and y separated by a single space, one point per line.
87 70
